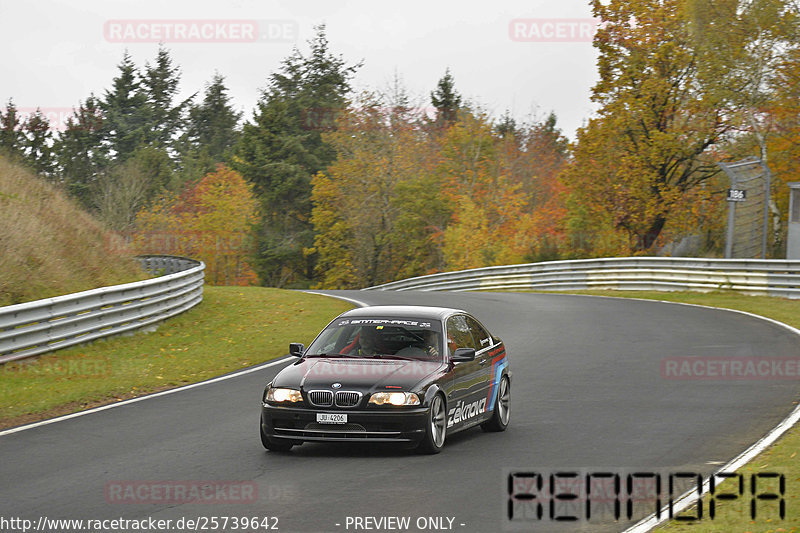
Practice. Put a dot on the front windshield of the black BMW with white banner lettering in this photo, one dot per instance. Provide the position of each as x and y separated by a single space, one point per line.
389 338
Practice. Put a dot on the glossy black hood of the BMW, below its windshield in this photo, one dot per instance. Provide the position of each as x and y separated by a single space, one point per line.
359 374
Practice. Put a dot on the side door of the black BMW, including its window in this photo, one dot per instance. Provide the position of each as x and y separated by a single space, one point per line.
465 382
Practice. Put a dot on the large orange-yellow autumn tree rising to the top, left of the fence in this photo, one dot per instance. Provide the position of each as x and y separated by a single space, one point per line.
647 148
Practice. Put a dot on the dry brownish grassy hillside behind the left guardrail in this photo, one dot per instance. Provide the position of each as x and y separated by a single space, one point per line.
49 246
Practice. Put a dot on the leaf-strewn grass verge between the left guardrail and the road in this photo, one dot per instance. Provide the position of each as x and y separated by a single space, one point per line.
234 327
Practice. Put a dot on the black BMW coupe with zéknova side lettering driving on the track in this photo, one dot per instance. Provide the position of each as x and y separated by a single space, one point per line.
390 374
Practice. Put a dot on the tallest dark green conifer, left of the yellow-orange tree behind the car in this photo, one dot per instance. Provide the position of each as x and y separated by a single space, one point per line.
282 148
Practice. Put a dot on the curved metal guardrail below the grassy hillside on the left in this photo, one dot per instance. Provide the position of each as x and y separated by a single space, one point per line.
34 328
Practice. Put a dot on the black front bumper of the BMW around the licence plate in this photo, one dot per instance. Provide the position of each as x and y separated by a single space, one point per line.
300 424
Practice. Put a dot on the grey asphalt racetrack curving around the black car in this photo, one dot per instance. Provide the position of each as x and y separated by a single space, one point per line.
588 393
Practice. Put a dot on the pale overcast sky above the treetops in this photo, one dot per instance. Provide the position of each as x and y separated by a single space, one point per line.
529 56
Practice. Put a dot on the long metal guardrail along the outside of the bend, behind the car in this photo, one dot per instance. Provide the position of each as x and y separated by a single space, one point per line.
749 276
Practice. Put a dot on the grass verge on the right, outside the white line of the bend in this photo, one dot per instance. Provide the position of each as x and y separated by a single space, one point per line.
781 457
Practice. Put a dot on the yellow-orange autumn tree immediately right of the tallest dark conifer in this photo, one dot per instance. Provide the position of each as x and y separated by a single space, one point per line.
377 209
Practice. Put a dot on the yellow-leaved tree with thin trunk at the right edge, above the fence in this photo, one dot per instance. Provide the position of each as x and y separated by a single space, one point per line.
743 48
